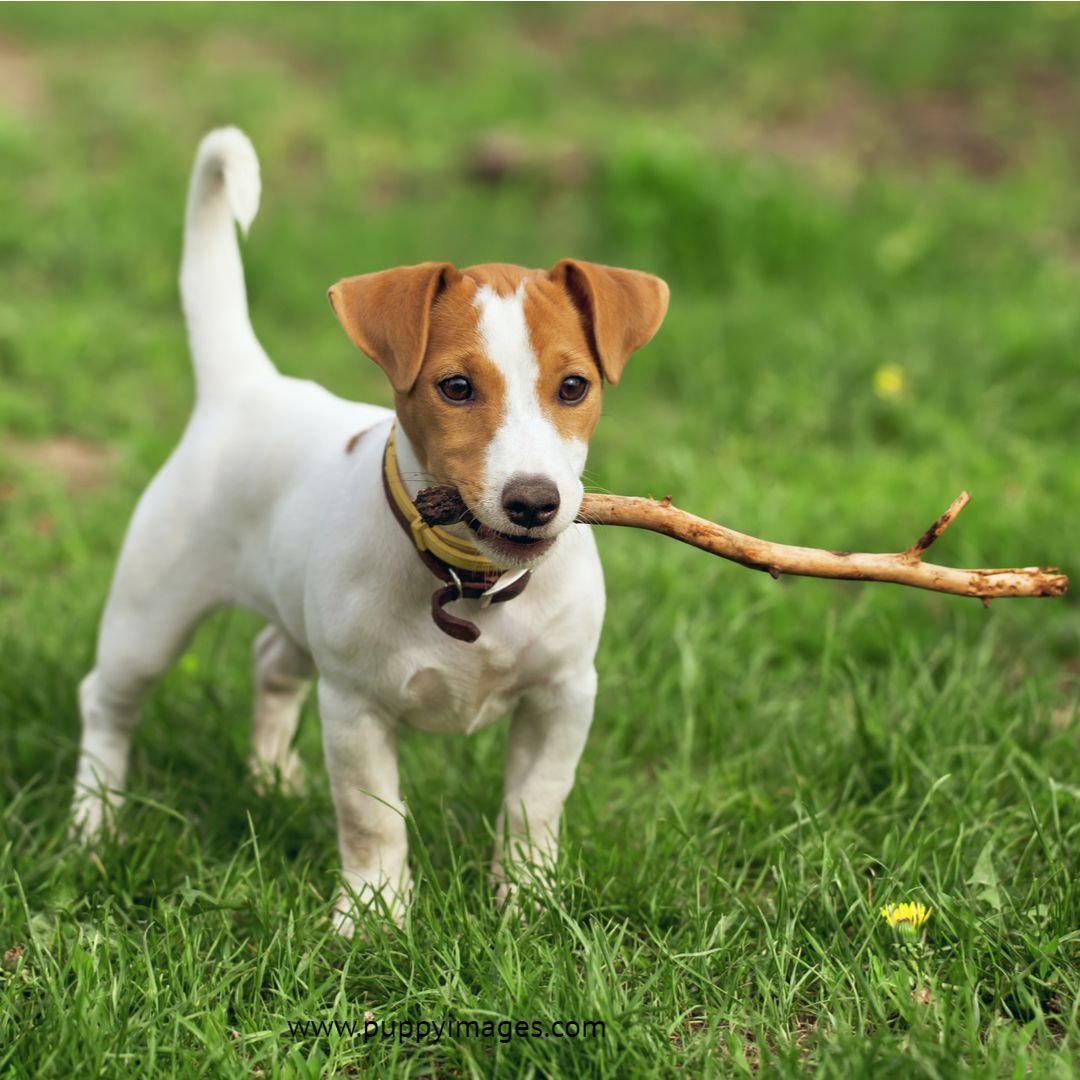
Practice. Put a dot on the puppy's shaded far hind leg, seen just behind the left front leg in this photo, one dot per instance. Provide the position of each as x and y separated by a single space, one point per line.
283 673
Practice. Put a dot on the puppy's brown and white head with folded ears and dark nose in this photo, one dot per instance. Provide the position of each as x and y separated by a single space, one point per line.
497 374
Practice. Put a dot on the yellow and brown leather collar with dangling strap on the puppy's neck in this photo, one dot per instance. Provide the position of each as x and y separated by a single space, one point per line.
454 561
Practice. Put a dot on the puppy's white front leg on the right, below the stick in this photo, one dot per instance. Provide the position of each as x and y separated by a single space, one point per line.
547 737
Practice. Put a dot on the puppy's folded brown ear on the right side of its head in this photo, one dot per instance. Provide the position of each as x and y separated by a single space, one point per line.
620 309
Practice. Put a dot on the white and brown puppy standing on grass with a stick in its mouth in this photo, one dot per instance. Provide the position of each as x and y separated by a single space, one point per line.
296 505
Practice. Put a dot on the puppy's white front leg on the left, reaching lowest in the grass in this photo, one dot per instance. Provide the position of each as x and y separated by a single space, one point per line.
362 763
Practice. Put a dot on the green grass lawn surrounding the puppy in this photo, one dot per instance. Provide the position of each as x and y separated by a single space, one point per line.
829 191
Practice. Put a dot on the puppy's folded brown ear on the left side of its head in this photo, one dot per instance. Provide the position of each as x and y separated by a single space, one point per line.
388 316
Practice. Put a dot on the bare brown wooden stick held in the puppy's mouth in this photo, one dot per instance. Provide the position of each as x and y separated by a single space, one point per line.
442 506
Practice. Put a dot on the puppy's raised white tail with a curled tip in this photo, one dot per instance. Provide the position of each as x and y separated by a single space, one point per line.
224 193
